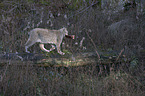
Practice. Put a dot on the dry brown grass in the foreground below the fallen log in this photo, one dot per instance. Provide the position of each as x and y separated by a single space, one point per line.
35 81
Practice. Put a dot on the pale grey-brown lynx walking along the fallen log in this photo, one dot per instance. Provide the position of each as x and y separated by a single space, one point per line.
54 37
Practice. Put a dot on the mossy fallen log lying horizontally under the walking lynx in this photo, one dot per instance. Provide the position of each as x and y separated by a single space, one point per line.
67 60
